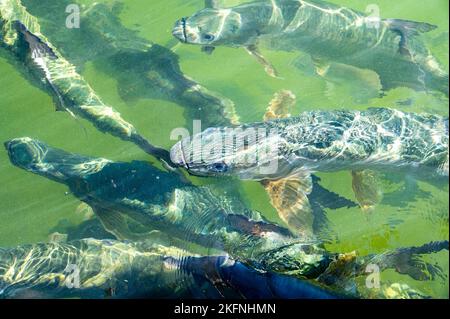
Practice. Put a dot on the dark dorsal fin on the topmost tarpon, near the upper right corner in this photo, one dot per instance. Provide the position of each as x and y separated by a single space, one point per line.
408 29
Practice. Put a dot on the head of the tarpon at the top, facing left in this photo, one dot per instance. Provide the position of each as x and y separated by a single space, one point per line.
210 27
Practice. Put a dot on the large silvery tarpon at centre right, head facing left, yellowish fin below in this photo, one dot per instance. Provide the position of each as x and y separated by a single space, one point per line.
378 139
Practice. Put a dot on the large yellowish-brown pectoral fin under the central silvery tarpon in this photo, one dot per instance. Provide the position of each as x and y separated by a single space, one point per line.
289 196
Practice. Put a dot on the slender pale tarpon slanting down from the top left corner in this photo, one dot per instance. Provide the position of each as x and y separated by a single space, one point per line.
21 35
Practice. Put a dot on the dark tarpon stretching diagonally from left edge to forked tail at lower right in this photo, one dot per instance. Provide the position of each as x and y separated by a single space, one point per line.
135 200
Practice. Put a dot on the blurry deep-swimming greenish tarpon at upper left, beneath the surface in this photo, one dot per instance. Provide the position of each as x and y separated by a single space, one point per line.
141 68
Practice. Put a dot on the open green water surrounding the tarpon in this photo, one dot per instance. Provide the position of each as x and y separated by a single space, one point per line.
32 207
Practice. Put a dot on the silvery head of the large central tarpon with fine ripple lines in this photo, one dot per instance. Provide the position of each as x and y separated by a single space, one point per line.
248 153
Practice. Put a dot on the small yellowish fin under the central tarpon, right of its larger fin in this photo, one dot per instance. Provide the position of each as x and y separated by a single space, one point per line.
366 186
